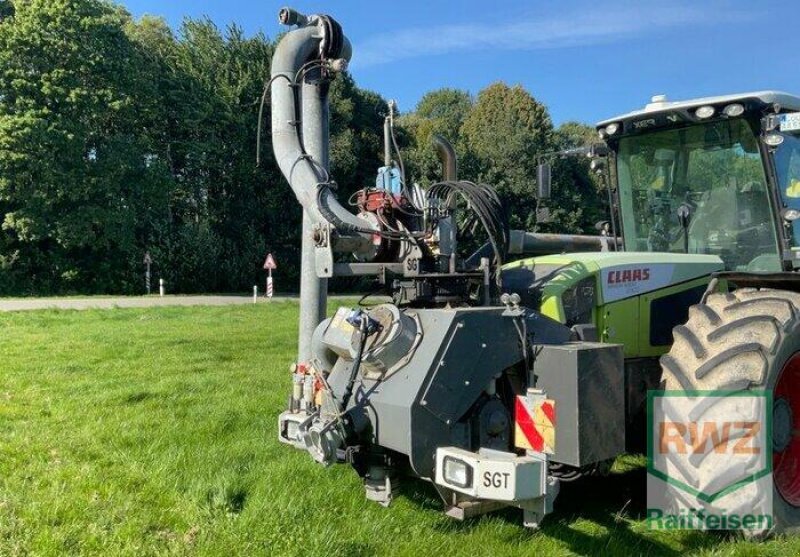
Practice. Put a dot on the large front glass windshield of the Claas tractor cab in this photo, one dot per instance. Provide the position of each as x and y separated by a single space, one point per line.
699 189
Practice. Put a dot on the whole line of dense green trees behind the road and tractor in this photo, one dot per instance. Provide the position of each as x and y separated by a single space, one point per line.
121 136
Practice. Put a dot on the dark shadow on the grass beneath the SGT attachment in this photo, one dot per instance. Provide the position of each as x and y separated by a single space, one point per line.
611 502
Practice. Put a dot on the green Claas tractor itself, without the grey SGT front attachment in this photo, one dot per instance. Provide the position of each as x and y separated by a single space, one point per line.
703 295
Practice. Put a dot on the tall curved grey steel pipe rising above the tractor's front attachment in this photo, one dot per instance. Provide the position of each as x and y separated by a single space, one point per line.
301 142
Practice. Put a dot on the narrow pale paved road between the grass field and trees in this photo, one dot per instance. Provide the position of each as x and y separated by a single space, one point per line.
23 304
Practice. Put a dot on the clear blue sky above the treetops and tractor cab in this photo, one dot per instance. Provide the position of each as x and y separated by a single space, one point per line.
586 60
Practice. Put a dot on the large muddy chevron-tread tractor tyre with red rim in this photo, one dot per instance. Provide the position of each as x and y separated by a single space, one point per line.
749 340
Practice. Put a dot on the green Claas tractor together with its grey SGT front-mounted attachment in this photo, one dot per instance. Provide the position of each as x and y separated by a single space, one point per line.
500 375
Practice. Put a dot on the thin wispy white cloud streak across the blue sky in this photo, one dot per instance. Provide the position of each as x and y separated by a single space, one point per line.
598 24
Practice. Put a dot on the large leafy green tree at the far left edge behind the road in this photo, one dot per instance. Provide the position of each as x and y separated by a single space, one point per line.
75 173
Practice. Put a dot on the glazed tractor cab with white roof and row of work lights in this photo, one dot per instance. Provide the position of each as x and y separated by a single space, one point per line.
715 176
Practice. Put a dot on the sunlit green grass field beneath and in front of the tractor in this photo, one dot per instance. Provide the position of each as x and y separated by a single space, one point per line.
152 431
